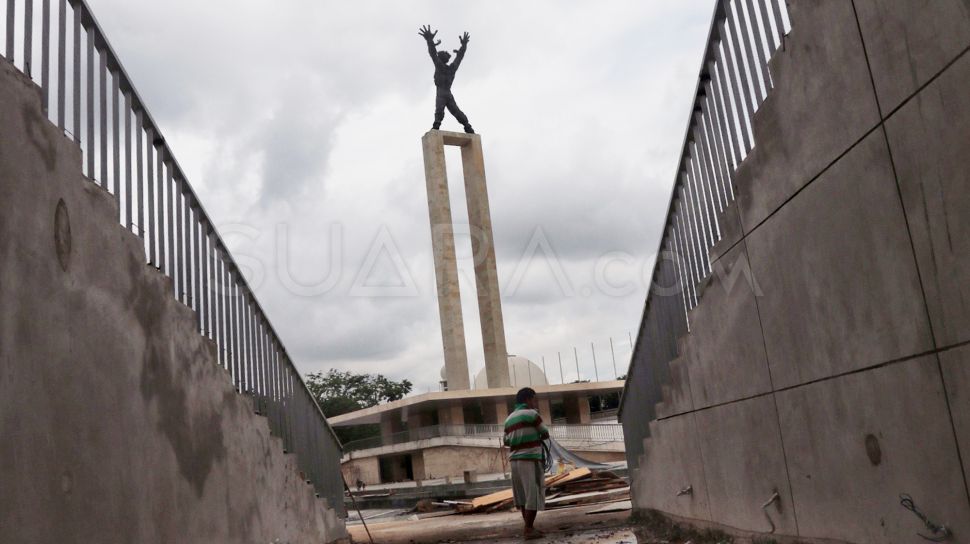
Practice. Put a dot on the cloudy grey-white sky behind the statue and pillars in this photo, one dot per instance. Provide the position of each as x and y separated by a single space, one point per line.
299 124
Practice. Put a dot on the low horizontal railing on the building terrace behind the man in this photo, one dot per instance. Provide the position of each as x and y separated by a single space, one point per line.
584 433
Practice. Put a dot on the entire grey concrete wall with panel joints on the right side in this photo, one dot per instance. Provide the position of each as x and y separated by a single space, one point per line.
838 377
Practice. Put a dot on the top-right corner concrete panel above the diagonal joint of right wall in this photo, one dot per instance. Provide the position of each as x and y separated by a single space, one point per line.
909 42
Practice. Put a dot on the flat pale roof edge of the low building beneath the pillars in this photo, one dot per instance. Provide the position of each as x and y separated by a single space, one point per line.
430 401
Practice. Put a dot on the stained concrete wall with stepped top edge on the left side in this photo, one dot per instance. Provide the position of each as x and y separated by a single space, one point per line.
118 423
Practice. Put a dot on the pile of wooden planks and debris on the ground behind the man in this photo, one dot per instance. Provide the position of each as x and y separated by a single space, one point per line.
573 488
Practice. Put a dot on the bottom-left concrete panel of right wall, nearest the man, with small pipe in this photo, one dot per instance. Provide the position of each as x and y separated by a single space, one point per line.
673 464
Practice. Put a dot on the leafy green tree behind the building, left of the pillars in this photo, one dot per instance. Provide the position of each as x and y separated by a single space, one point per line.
338 392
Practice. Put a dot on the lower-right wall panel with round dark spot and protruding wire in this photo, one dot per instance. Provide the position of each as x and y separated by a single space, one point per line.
856 442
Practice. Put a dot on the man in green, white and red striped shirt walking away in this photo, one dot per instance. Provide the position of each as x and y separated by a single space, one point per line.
524 434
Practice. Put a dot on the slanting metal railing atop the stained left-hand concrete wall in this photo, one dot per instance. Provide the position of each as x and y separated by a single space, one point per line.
88 94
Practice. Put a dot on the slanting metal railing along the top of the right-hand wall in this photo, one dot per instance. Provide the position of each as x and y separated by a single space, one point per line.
733 82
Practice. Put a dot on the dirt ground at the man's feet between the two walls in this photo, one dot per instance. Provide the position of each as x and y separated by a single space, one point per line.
581 524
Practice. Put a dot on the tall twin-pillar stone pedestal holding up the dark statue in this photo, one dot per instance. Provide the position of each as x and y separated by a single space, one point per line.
446 268
